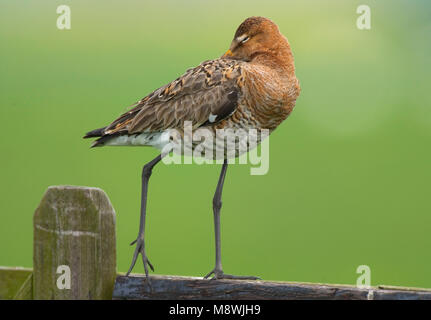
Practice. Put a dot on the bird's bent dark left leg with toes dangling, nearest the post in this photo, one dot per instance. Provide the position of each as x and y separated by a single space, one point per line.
140 243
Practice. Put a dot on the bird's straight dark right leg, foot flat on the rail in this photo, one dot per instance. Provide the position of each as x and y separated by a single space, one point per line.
218 270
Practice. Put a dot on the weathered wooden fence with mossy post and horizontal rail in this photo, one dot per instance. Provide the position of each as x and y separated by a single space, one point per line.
74 257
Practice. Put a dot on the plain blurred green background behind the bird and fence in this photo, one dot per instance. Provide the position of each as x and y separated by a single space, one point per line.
349 177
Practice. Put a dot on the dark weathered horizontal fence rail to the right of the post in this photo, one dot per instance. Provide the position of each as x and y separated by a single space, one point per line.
174 287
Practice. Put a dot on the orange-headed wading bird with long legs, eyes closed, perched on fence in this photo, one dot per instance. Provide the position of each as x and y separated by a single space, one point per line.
251 86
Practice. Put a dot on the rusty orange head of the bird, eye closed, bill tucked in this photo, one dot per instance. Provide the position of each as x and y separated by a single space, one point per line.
254 37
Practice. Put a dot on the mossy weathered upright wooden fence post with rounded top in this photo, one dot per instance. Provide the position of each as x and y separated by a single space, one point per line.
74 254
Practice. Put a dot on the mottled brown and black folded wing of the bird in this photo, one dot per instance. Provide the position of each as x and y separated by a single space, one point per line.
205 94
